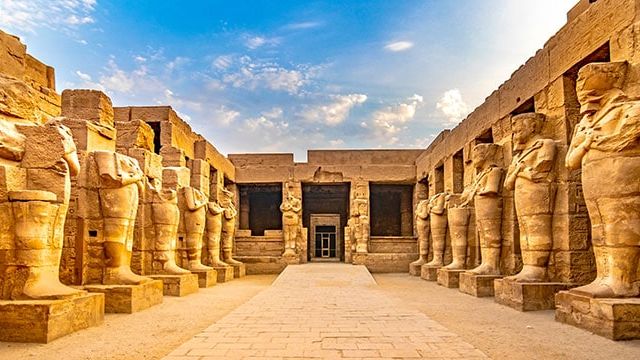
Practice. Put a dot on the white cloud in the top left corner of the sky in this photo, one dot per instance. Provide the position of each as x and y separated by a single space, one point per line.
22 17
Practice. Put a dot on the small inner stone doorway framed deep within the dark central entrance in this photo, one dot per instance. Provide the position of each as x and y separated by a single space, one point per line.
325 233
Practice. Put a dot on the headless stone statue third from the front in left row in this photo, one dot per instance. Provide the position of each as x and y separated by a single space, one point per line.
165 215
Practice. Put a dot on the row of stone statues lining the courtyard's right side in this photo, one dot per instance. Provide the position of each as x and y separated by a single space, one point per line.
605 144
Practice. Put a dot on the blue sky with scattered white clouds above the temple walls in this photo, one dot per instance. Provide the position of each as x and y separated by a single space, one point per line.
287 76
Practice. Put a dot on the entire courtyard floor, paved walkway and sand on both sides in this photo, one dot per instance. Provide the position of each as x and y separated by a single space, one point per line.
328 311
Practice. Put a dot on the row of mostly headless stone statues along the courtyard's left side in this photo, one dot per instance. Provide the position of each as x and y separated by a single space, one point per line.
33 218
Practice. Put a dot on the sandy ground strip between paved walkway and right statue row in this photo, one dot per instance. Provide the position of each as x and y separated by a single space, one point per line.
499 331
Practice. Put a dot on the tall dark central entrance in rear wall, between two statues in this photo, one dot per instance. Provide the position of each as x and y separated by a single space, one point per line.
325 210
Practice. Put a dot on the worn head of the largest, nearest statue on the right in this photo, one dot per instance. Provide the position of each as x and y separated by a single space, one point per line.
595 79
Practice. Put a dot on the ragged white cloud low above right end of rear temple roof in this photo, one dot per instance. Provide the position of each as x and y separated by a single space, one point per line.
387 123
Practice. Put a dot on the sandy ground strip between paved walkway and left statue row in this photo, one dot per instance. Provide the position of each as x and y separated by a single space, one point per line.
149 334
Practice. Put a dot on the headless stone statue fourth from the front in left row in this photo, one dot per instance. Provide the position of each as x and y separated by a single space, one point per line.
194 213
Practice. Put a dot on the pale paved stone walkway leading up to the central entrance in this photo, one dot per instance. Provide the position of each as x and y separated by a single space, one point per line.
328 311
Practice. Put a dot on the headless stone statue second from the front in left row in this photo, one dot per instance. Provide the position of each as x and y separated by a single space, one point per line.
120 185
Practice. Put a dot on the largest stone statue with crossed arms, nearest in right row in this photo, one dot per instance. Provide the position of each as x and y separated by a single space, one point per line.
606 145
